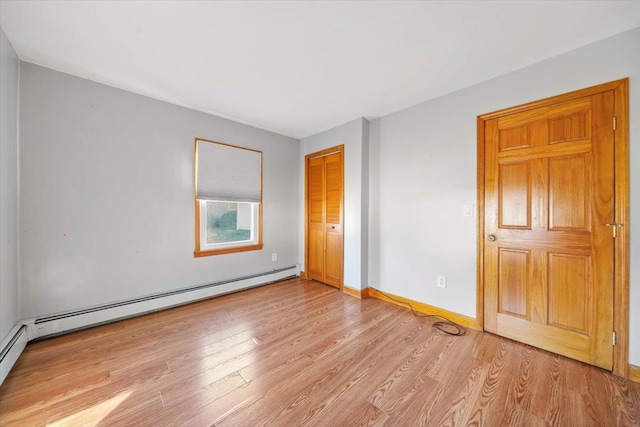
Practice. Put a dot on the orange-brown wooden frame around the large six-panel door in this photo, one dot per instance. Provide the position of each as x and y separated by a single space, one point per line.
621 207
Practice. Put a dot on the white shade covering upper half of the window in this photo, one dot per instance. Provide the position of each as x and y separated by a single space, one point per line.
228 173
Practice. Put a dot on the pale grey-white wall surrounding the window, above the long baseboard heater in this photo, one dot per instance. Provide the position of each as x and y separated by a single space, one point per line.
106 206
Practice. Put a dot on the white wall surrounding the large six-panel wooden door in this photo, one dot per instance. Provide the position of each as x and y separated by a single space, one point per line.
423 169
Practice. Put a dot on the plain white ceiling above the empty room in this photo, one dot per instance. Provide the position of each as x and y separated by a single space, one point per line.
298 68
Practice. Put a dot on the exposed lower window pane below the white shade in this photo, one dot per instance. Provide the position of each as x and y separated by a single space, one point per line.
228 222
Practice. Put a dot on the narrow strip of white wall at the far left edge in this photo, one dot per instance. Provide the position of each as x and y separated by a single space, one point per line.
9 83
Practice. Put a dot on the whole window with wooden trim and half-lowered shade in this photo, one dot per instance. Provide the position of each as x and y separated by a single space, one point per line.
228 196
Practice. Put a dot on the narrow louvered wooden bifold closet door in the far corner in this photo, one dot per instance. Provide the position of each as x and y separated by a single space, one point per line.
324 216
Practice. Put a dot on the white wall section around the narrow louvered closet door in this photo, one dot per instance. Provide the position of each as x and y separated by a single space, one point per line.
354 136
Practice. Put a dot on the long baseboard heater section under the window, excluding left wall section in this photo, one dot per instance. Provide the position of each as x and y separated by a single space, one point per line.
61 323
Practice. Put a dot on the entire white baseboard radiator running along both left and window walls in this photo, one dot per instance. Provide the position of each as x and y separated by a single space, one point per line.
61 323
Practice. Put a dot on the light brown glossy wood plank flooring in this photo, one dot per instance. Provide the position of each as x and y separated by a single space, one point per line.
299 353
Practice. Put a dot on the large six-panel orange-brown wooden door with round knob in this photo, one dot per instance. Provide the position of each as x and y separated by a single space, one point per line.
548 249
